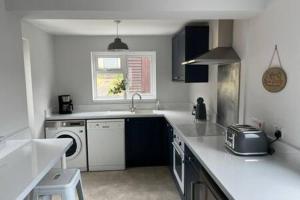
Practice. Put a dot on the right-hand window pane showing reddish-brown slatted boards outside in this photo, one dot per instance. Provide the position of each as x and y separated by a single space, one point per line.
139 74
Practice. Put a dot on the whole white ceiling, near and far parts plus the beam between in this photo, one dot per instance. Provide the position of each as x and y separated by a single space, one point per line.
143 17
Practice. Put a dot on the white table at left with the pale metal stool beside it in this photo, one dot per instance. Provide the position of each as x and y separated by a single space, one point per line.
22 169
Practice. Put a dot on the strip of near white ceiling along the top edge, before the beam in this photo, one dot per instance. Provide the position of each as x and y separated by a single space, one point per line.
137 6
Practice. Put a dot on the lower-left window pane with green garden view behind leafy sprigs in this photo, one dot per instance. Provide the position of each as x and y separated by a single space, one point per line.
110 85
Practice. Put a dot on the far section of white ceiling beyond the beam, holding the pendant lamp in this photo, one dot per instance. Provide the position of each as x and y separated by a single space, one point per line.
108 27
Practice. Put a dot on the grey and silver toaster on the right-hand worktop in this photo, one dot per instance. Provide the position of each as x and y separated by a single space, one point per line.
246 140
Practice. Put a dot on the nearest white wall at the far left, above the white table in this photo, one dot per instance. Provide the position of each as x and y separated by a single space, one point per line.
13 111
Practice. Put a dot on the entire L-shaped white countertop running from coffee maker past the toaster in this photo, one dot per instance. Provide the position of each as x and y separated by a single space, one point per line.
275 177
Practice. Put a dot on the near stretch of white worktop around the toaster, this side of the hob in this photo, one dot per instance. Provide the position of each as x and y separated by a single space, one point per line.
275 177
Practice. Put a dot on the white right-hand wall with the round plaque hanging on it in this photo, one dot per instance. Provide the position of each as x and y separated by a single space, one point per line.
254 40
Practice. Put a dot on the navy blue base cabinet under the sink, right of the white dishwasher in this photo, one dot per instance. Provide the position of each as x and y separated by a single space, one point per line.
145 142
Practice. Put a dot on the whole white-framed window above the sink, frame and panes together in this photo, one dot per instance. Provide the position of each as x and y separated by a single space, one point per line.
117 75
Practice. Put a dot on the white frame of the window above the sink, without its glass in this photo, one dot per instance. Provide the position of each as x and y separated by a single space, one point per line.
124 68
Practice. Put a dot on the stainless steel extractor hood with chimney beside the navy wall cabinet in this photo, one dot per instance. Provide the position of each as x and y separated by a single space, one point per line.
224 53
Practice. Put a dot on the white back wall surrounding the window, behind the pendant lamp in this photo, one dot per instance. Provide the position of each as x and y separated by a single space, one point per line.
73 65
